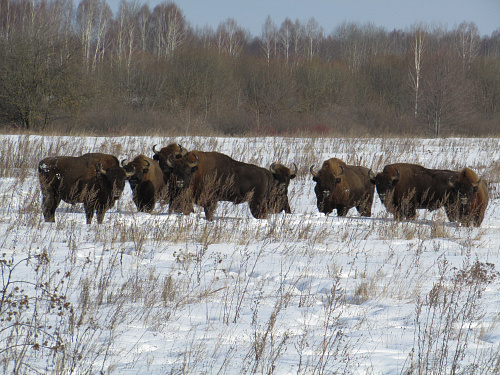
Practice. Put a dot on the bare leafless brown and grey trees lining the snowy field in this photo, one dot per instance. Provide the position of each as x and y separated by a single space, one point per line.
81 69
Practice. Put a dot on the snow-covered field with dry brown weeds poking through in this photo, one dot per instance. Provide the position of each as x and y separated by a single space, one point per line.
293 294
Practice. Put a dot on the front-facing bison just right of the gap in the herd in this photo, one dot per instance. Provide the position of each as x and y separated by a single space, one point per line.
340 186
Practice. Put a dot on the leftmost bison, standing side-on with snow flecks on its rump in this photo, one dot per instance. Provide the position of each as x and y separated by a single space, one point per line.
95 179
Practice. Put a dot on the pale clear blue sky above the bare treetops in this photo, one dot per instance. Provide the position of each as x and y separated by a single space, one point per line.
391 14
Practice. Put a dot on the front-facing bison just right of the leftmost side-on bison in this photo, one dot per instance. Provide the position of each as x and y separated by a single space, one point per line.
147 182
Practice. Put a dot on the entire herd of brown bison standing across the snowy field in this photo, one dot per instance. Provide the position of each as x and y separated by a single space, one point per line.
181 178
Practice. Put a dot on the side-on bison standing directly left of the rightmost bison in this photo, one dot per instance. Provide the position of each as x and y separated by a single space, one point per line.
403 188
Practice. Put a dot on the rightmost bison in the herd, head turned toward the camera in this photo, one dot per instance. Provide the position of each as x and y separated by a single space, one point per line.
468 198
